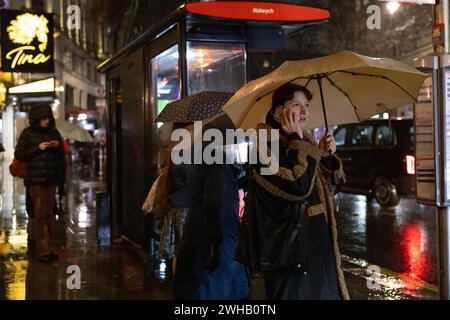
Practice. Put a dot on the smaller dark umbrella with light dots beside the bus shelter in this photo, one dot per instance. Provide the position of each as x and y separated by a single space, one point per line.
196 107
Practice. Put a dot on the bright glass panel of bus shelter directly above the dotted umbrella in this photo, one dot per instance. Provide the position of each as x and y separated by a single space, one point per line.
215 66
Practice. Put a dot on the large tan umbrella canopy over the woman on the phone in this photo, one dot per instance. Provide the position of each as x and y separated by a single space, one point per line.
355 88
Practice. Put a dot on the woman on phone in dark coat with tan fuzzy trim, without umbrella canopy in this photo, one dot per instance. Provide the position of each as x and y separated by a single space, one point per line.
289 229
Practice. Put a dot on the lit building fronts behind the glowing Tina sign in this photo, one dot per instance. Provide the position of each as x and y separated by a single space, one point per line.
78 41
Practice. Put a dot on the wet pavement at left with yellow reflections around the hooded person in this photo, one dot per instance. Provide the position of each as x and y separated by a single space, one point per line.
106 272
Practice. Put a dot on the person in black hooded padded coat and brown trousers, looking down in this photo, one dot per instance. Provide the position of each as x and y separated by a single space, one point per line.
41 149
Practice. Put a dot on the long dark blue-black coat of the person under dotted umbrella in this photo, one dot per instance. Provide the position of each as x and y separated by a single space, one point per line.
206 268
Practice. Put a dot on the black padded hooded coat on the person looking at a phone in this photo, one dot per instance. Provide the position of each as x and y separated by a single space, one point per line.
41 167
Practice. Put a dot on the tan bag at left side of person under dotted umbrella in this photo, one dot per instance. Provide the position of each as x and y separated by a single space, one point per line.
156 201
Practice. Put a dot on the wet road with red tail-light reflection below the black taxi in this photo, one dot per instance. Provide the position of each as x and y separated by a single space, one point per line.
402 241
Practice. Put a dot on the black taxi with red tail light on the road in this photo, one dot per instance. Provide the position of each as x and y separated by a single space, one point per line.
378 162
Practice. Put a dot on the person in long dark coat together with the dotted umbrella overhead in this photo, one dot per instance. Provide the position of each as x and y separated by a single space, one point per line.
205 267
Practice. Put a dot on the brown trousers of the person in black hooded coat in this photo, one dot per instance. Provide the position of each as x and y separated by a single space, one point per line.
43 198
